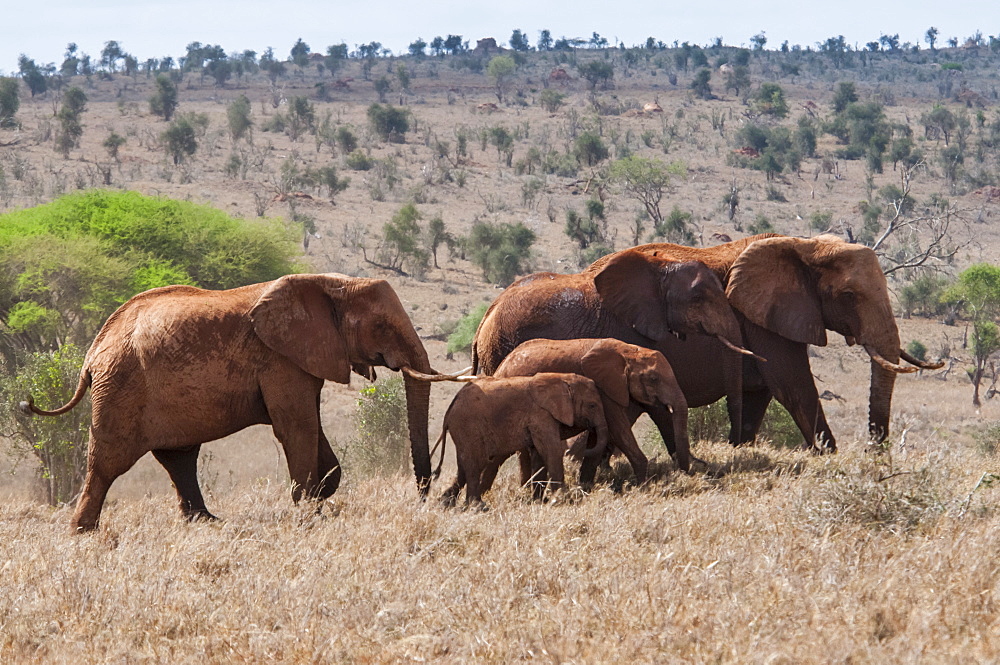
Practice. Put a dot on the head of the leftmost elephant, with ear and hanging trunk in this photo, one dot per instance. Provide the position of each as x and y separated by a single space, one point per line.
329 324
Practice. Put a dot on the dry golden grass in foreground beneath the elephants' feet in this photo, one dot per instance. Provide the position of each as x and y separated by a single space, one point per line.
773 556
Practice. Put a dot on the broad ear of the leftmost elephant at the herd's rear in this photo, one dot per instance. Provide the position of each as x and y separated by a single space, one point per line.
295 317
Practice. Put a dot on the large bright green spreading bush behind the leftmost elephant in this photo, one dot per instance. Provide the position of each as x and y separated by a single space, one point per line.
66 265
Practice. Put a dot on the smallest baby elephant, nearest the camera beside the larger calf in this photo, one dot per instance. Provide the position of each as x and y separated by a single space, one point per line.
491 418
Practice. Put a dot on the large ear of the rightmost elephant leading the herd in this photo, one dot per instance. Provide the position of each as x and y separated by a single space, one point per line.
771 284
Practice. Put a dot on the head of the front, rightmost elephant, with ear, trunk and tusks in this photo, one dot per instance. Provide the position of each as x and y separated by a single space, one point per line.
800 288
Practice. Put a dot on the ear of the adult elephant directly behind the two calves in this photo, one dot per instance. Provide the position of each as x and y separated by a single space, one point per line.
630 285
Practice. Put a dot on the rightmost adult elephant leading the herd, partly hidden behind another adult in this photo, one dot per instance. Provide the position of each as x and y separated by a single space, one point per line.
787 293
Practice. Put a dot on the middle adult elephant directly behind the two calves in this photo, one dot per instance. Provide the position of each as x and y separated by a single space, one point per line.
640 298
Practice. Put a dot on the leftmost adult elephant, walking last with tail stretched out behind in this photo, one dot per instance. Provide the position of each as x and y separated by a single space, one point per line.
178 366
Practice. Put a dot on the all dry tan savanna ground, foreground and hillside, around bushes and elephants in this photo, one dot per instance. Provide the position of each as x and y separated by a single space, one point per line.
769 555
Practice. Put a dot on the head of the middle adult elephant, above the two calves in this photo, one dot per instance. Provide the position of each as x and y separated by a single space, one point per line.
659 297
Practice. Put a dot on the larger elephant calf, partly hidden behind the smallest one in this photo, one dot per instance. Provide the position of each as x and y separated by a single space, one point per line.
631 380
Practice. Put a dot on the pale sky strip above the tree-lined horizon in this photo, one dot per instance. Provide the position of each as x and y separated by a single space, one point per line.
155 28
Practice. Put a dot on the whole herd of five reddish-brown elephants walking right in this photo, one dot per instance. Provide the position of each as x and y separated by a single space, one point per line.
651 329
